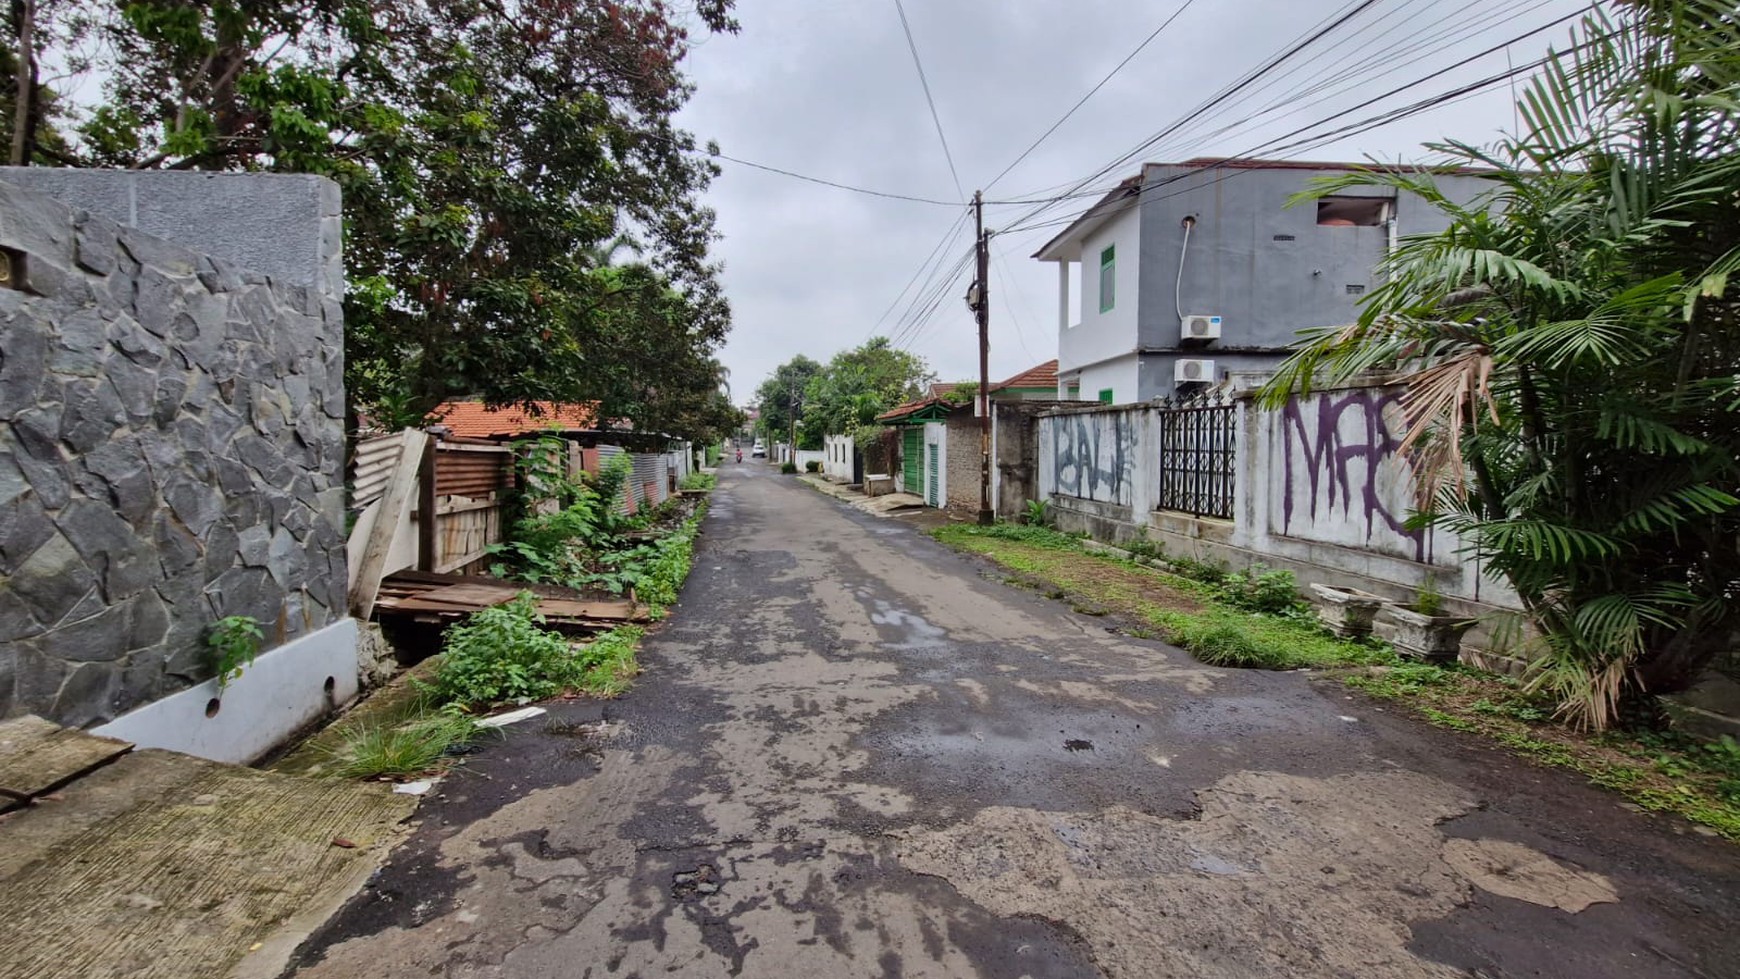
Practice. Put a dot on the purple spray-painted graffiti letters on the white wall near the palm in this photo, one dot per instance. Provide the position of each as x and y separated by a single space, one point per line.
1328 455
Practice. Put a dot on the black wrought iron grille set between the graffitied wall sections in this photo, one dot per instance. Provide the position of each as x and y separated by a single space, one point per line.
1198 453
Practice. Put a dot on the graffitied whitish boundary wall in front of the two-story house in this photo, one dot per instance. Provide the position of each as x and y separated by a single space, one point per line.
1320 489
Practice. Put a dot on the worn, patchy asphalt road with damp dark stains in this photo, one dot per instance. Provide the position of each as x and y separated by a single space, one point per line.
859 754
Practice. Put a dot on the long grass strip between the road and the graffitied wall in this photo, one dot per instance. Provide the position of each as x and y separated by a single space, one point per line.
1210 615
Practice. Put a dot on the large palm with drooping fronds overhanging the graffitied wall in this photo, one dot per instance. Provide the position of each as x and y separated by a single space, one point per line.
1570 350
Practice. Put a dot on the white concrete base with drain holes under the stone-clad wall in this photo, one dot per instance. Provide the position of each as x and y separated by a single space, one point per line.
278 696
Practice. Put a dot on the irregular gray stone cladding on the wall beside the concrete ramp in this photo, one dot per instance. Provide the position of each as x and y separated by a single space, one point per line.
171 451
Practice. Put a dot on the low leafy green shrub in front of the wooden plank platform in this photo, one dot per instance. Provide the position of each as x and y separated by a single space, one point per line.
502 655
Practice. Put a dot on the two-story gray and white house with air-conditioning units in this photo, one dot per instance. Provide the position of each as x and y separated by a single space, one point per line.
1191 270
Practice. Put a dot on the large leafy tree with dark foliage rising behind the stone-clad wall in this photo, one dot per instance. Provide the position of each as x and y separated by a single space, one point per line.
492 152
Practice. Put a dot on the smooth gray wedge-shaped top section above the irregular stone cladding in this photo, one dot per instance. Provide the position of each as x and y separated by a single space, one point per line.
283 225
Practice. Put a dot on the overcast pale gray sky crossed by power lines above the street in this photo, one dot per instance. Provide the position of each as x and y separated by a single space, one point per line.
829 90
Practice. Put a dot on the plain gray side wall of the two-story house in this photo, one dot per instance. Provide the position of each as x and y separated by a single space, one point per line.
1268 269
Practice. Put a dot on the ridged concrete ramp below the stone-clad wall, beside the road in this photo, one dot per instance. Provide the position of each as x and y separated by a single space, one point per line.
163 865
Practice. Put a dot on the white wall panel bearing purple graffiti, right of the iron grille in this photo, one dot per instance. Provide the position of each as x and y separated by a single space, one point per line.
1342 477
